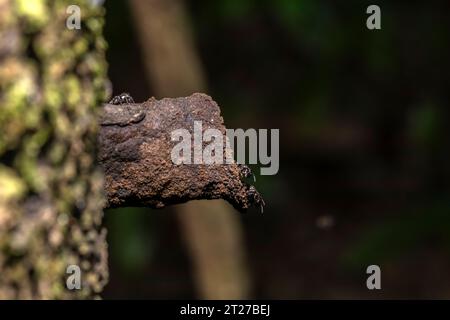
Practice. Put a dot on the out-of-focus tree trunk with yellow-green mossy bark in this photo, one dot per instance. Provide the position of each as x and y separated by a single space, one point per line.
51 190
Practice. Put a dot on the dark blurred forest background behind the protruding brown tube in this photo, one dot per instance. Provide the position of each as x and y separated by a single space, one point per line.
364 153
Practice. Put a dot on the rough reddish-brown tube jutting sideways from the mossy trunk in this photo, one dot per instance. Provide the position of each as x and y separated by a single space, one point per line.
136 155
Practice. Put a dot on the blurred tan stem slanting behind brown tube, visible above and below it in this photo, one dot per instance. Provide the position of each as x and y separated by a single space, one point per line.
212 232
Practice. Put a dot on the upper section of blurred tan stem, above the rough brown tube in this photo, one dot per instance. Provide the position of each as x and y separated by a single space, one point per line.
171 59
